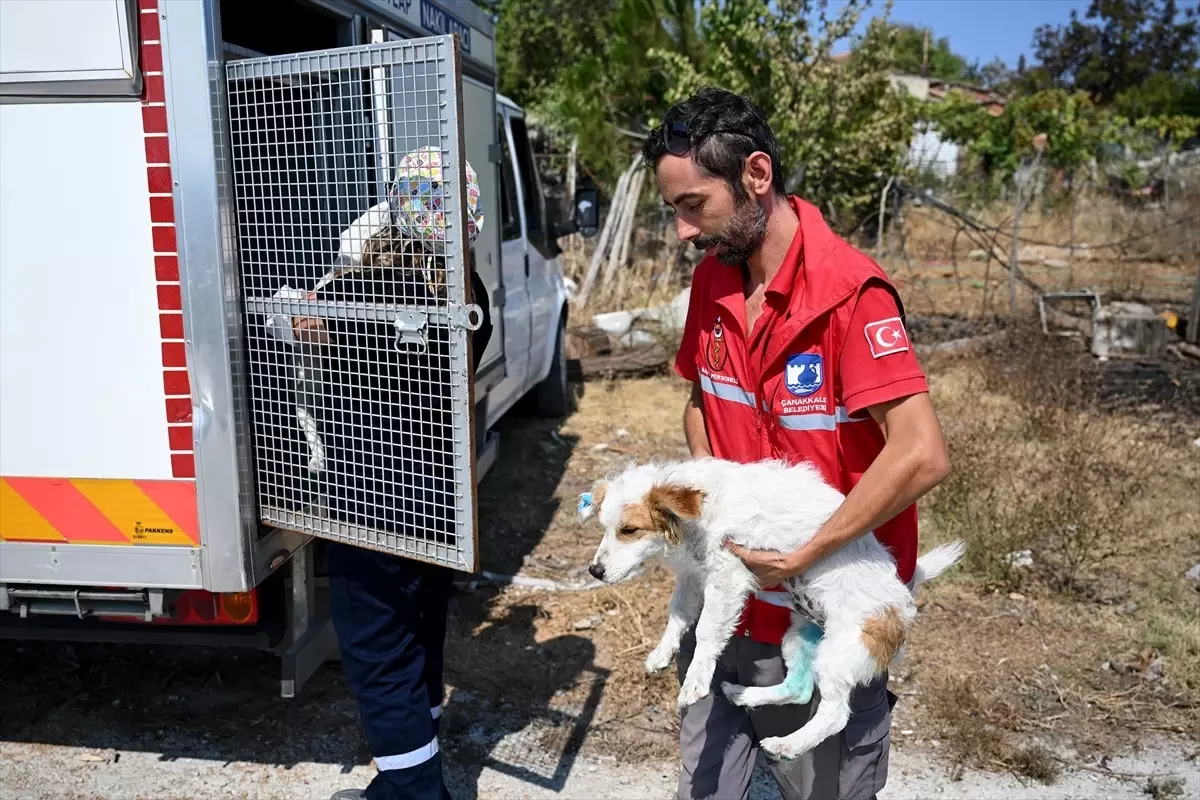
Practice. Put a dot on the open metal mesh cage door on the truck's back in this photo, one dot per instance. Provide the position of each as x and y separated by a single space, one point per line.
353 218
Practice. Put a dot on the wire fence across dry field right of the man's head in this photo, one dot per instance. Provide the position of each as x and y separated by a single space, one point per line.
951 251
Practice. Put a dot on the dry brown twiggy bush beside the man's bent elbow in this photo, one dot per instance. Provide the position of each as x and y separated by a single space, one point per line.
1039 468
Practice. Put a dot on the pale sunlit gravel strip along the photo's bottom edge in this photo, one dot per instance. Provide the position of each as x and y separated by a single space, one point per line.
32 771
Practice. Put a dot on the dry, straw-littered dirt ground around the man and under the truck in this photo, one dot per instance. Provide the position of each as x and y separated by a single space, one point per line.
547 693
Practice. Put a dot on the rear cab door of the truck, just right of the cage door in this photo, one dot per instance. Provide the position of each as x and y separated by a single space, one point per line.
518 317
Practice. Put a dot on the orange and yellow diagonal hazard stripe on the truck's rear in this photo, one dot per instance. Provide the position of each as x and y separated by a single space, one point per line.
91 512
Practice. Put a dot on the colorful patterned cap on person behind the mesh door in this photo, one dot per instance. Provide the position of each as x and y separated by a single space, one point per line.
417 200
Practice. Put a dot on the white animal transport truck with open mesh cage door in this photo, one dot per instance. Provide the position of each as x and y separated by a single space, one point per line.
178 183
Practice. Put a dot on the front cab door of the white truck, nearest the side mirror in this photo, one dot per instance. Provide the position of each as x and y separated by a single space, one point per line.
542 268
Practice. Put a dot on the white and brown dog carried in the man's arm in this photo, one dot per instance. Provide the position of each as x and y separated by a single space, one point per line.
683 512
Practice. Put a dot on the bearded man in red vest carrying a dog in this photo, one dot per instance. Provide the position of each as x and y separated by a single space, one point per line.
796 350
